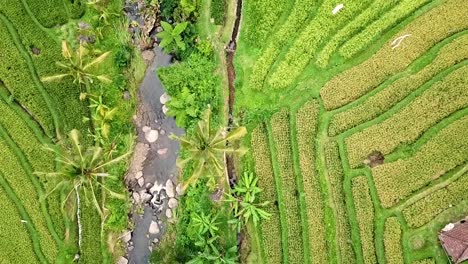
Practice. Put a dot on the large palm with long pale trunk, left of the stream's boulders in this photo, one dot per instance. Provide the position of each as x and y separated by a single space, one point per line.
81 167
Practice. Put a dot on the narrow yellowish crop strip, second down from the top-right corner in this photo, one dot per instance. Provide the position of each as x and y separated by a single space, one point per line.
451 54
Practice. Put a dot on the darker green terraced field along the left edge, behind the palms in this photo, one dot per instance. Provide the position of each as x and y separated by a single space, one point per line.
34 229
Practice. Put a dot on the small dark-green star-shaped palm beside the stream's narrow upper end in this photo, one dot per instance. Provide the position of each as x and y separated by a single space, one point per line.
171 36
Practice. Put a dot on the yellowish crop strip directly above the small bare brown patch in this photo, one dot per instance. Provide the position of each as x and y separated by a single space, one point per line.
410 122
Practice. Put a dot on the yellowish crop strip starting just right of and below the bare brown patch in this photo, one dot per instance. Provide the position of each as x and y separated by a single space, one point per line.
444 151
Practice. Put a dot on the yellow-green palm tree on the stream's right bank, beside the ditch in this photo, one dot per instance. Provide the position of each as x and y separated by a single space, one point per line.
206 148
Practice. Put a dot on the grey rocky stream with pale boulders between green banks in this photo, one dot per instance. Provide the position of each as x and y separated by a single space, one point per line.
152 175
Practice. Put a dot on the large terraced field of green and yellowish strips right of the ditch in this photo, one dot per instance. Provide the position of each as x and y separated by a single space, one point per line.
357 127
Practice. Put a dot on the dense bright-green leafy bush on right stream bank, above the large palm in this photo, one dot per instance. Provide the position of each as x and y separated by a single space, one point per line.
193 78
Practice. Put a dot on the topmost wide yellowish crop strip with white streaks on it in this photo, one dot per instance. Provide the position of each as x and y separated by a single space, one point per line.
359 80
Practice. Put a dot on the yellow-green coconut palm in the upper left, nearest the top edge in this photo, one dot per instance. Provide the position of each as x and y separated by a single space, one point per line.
77 67
